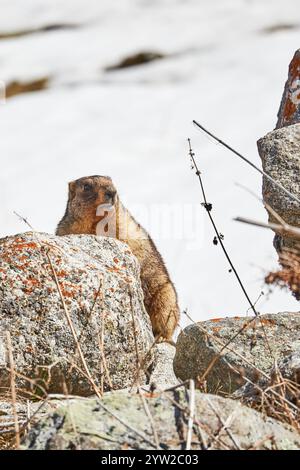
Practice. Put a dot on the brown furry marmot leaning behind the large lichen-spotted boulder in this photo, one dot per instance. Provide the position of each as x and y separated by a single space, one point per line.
94 207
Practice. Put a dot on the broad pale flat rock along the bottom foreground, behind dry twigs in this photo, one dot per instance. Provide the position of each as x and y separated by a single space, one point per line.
92 424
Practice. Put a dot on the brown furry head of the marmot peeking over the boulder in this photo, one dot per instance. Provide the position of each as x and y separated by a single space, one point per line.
91 197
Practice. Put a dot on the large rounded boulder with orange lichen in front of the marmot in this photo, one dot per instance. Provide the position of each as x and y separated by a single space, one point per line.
31 310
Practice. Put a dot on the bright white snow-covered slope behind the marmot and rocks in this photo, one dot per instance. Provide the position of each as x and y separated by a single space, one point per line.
222 67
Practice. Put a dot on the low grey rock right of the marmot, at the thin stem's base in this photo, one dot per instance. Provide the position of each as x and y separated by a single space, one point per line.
200 343
